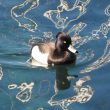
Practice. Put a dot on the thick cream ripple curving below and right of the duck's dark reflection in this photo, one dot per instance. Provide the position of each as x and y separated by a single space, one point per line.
83 94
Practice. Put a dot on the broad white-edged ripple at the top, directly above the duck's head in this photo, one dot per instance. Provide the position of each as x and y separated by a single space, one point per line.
55 16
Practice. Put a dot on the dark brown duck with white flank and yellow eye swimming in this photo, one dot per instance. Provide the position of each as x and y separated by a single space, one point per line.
54 53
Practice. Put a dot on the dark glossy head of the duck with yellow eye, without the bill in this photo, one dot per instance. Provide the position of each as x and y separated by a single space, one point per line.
63 41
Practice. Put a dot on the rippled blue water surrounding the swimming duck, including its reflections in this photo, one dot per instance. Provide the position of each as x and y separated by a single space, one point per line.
23 87
